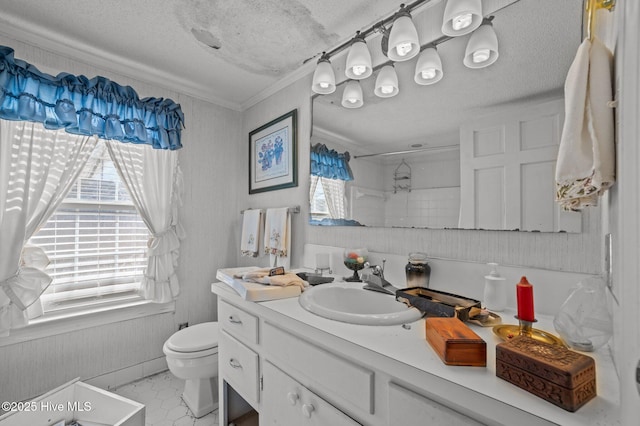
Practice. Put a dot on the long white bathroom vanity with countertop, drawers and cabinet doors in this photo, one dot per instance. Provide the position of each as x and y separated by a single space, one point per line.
296 368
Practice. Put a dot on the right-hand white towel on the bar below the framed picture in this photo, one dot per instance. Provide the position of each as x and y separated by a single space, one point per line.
277 236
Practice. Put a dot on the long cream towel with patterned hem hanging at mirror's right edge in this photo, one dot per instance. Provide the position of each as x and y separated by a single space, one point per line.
586 157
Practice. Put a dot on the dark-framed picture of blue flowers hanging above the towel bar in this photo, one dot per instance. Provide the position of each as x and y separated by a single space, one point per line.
273 155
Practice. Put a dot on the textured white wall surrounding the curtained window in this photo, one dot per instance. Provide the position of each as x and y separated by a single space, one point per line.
214 155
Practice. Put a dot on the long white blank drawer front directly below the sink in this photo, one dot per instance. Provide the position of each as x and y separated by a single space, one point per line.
336 378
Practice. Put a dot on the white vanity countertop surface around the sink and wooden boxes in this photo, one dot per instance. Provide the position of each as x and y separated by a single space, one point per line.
409 346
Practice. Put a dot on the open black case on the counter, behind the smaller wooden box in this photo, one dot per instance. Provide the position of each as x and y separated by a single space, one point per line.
436 303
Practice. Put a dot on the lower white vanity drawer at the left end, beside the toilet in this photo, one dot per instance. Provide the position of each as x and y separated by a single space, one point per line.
239 367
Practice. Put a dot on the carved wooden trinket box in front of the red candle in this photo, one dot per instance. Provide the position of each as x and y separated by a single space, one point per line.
552 372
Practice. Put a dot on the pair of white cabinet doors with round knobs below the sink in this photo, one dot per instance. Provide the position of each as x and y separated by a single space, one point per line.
288 403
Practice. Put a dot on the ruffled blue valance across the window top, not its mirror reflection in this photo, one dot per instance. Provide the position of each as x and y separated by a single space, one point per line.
96 106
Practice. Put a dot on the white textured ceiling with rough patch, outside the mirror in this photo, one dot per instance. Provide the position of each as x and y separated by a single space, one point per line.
256 42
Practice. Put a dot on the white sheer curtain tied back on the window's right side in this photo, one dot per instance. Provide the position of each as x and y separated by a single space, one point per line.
154 181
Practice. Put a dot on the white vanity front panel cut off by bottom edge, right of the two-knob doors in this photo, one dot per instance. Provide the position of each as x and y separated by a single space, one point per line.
409 408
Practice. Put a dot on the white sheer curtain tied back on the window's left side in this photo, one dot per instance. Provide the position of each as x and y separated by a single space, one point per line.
37 169
